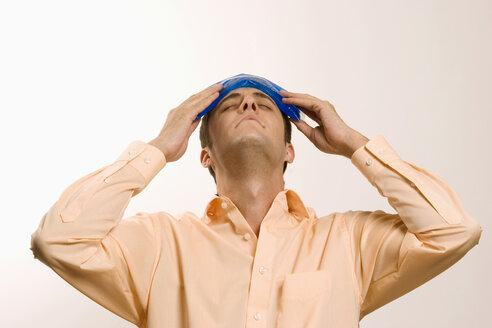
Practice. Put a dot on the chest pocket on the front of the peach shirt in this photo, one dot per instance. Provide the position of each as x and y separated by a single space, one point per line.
303 299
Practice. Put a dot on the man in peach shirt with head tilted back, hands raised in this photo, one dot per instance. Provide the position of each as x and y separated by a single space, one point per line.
258 257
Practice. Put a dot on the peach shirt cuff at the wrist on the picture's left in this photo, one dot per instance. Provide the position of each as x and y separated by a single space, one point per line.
144 157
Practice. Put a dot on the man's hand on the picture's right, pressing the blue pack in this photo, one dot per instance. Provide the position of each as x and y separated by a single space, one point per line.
332 136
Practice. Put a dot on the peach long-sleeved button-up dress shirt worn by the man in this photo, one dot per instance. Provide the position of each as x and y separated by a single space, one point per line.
158 270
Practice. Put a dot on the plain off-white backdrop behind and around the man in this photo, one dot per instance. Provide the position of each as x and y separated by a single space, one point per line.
80 80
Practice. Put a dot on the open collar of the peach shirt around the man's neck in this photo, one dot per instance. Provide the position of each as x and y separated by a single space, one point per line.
288 200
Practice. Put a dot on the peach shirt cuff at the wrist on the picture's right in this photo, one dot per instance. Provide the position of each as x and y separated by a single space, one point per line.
371 157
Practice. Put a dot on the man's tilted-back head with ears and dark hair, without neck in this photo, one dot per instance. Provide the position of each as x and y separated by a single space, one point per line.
224 130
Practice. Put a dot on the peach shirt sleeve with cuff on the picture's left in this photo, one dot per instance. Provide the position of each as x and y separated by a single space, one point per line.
83 239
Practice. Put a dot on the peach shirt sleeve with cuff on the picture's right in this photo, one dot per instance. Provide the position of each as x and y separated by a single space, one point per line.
395 253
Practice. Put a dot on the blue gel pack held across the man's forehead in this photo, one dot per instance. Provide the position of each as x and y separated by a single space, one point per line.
252 81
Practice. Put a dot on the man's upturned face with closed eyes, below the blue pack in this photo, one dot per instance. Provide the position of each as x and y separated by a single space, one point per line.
247 118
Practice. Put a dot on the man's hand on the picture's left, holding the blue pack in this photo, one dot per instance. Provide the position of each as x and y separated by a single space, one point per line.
174 136
